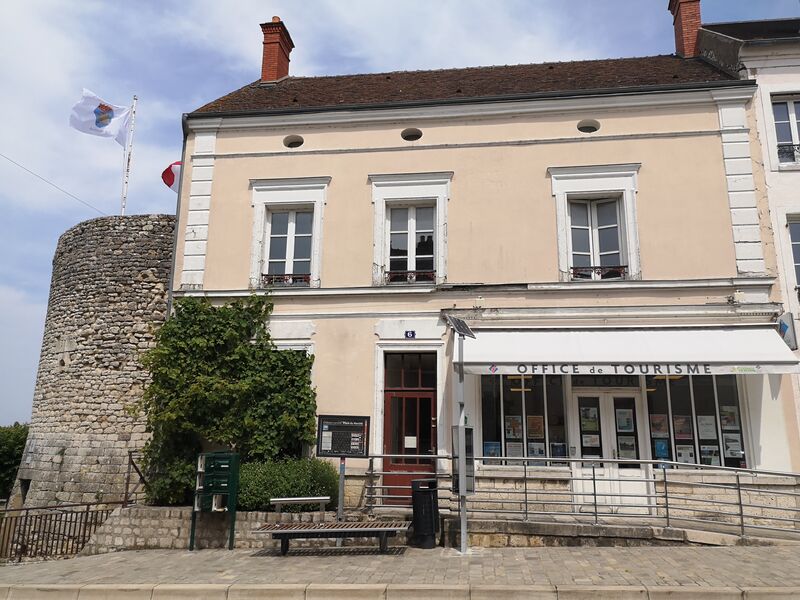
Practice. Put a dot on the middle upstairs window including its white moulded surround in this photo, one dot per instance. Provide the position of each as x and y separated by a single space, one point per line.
410 235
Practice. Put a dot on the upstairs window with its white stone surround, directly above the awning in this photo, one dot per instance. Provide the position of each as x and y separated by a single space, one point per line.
596 222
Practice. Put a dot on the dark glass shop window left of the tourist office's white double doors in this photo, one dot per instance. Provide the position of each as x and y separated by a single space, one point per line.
522 416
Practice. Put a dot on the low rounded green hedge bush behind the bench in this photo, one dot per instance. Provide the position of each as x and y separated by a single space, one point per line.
259 482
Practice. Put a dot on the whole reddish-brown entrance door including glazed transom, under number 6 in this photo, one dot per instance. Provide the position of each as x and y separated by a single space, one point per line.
409 423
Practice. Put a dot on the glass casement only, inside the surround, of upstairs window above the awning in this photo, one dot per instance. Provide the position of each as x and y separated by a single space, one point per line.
595 241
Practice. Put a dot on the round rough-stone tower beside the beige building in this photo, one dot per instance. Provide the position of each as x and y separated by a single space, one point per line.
108 294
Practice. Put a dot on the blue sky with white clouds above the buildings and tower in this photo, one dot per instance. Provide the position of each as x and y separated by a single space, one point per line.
178 55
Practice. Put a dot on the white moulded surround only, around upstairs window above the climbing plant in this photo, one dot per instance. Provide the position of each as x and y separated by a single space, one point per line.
286 195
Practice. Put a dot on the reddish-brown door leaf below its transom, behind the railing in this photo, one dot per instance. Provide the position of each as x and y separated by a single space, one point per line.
409 419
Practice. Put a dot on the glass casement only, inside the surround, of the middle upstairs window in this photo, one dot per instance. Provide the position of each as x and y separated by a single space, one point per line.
411 244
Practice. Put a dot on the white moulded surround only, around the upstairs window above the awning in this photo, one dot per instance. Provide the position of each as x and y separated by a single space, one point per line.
594 182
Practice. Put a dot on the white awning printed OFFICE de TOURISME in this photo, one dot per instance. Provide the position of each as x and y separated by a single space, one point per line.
677 351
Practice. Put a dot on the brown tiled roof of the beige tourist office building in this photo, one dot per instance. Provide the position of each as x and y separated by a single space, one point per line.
453 85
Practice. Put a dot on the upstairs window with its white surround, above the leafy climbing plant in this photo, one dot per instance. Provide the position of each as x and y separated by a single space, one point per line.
287 232
